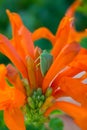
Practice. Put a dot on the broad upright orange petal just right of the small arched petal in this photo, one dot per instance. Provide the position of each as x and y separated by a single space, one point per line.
61 37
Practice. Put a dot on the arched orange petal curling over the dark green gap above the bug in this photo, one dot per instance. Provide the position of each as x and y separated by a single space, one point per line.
43 33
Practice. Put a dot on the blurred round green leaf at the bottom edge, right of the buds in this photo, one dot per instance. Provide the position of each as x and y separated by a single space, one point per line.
56 124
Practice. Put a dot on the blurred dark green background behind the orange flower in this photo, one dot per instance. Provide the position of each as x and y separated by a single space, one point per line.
39 13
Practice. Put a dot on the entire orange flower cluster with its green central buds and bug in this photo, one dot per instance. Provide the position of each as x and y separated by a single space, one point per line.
38 78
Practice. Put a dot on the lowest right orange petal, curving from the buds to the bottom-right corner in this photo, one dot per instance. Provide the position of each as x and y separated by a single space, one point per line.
78 113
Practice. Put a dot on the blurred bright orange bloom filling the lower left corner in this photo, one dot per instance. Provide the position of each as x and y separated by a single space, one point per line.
11 100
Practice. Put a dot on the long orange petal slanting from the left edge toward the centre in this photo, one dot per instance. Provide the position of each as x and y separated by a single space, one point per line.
7 49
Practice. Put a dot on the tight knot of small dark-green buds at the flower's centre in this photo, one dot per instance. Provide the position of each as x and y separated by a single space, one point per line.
36 100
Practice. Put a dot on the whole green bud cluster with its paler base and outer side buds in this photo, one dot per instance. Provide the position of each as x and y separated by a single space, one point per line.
35 100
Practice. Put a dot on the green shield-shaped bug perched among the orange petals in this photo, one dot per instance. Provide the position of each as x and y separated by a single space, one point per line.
46 60
